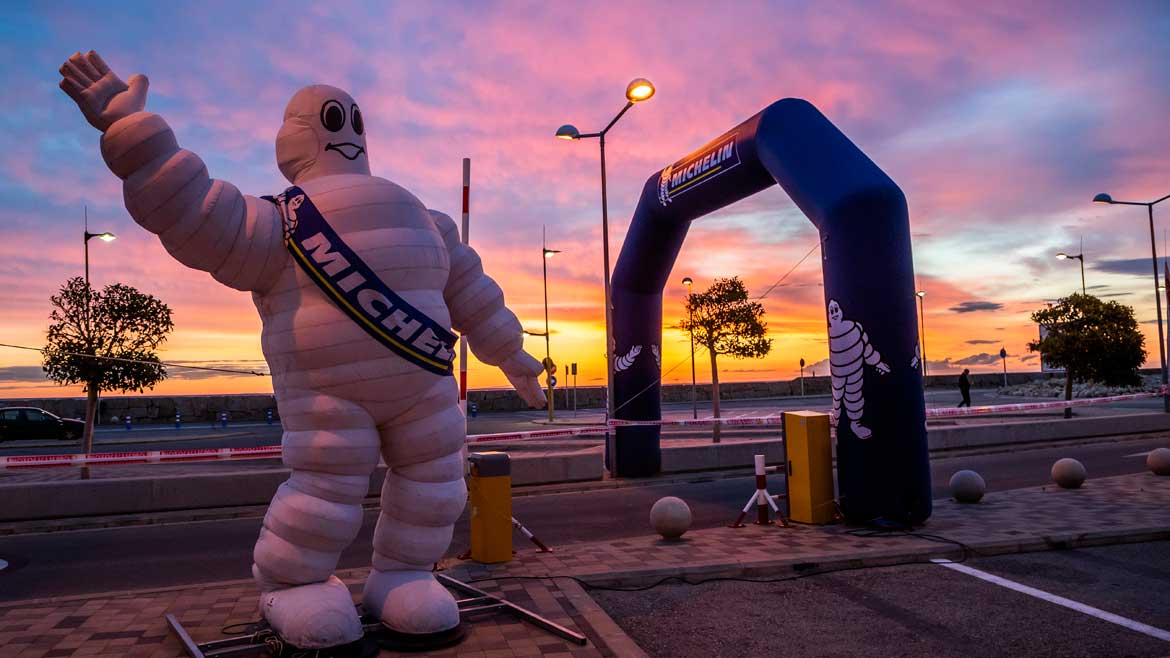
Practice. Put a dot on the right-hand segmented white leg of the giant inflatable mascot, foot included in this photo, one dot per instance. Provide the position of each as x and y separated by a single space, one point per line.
422 498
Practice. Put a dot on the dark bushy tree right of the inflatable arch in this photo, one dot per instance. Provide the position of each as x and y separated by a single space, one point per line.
1092 340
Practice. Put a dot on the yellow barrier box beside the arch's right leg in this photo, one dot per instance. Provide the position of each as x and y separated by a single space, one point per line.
810 469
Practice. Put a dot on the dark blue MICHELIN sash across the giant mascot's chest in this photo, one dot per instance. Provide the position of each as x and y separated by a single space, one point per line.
356 290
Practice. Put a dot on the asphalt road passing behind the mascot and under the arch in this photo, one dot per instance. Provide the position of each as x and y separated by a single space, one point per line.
147 557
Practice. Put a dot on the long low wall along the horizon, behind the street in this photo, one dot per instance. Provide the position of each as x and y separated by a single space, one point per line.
205 409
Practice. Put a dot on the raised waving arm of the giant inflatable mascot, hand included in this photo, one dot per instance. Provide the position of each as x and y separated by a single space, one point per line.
204 224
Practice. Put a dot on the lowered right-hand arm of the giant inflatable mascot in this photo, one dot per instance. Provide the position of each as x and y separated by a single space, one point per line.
478 311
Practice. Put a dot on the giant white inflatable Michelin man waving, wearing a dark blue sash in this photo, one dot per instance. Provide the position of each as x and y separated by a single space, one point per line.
357 284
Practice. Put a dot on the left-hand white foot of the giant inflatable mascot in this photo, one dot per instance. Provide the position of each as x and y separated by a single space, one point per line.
315 616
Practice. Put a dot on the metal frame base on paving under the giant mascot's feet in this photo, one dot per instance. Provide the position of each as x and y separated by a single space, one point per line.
265 640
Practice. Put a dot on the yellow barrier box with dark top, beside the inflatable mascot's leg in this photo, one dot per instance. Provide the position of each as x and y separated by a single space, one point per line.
491 501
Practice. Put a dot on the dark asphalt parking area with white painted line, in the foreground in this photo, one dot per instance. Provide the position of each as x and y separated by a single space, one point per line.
920 611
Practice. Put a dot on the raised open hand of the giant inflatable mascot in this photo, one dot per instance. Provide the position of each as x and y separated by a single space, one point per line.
101 95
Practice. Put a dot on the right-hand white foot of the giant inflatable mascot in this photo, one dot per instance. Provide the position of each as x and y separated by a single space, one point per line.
410 602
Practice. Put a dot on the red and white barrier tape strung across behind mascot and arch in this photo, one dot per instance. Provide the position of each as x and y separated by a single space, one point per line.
261 453
